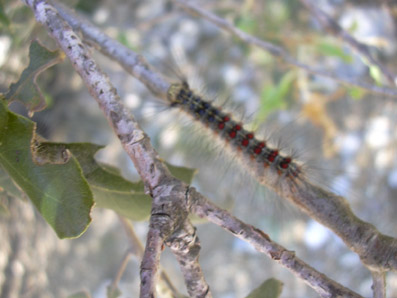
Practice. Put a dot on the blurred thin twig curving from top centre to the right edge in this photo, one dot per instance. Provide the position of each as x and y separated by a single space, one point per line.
193 9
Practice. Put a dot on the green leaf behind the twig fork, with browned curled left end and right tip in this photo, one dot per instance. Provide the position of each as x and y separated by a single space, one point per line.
110 189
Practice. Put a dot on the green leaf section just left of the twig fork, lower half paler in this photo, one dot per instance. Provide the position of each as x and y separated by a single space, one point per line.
110 189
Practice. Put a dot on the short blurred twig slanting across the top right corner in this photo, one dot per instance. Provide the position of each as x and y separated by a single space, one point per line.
333 27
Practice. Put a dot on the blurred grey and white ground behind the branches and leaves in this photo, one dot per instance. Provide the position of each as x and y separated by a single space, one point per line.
345 136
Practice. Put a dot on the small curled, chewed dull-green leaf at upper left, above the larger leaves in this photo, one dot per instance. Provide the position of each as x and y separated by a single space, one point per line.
26 88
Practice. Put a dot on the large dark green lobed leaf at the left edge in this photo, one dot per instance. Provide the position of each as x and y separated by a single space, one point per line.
59 191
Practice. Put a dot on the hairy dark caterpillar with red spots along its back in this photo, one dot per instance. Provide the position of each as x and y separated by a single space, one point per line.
267 164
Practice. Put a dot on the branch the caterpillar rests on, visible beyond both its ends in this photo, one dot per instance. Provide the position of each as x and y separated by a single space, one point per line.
377 251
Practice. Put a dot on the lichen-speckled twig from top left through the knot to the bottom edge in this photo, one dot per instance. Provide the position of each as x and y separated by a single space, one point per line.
169 209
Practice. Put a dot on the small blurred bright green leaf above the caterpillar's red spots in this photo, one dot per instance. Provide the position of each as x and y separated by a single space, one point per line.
273 97
